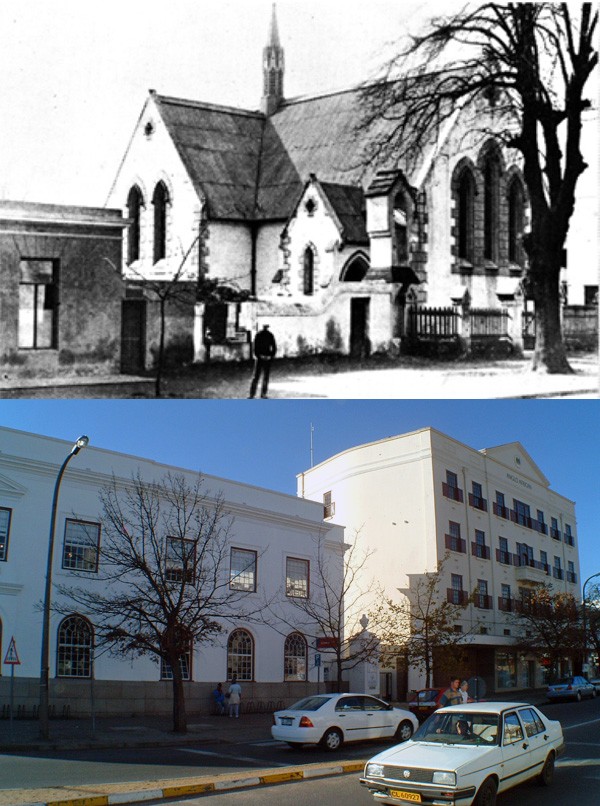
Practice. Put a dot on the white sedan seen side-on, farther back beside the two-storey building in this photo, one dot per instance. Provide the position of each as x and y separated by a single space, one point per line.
332 719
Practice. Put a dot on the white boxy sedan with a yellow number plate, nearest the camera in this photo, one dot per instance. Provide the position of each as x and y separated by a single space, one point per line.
467 754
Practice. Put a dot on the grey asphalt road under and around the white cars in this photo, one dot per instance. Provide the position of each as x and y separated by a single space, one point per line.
577 782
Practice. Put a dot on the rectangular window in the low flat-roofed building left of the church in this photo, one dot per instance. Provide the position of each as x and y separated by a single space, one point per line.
38 304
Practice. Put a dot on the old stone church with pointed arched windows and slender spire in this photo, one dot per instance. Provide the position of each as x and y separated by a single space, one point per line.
280 207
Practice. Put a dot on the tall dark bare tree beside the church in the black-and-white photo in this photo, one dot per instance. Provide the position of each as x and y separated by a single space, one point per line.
532 61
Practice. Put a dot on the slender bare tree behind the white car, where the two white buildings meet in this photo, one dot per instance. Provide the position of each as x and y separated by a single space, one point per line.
334 605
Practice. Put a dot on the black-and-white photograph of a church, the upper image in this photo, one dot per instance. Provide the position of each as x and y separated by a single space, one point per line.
298 199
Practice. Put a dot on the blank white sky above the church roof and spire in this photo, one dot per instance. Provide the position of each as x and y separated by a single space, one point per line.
75 74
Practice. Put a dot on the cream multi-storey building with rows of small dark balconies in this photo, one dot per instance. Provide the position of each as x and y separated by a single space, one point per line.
415 498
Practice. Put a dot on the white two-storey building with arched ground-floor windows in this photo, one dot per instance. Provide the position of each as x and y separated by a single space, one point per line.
272 540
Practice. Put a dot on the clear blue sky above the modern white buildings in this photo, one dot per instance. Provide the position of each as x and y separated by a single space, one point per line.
268 443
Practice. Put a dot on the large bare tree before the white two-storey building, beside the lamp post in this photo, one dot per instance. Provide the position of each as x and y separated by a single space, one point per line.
163 582
